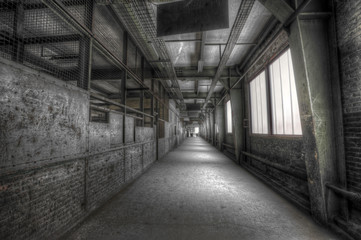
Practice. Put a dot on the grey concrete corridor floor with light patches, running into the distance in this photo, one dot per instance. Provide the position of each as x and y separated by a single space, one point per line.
195 192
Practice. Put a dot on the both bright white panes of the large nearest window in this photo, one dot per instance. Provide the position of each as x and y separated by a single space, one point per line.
282 96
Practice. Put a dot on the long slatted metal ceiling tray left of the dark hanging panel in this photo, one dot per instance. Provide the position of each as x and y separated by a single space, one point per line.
140 21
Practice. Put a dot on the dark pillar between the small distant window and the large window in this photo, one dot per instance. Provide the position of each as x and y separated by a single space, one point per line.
237 118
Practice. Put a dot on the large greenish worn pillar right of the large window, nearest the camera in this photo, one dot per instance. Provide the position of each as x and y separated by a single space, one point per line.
310 56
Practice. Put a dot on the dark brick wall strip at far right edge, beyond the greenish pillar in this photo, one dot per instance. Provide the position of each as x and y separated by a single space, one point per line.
348 24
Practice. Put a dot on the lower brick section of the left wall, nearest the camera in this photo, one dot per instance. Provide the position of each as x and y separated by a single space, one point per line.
40 201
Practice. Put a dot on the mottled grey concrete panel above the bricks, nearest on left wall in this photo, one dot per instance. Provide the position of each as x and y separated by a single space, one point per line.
40 117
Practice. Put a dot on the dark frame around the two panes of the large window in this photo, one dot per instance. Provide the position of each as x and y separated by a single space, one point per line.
270 133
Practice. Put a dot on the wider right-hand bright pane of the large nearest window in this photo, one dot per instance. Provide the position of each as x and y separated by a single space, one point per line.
285 112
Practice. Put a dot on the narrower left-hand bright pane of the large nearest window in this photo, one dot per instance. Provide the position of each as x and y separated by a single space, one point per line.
259 111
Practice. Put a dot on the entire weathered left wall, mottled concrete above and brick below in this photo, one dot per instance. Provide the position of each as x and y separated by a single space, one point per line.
56 166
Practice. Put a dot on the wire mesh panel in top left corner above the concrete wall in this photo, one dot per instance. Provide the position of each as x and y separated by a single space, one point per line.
32 34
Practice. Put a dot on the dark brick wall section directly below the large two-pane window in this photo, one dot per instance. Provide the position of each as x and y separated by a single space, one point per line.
286 152
